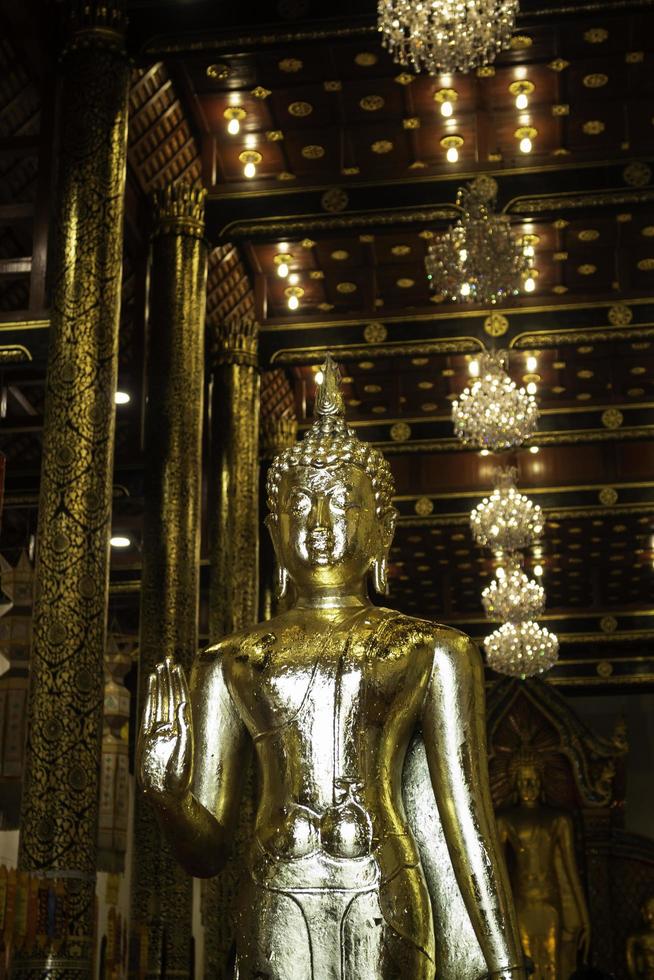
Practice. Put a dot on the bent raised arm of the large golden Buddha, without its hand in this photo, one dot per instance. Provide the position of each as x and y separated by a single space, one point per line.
199 823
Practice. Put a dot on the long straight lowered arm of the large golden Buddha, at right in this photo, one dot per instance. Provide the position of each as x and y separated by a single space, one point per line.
454 732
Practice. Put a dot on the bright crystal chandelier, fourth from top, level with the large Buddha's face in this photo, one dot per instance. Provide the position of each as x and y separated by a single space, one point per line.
507 520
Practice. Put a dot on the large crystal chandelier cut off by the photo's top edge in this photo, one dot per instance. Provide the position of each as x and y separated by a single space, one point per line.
446 35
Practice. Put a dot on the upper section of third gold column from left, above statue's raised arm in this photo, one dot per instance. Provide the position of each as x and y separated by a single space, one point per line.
234 478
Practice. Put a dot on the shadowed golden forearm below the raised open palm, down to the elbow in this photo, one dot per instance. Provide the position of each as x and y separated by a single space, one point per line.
200 843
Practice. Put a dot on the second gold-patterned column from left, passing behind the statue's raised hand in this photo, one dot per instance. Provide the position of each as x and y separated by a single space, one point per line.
161 892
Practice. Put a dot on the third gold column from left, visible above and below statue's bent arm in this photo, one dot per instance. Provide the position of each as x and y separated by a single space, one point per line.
234 576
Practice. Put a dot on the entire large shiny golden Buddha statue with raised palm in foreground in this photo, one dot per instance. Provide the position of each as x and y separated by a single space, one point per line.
329 695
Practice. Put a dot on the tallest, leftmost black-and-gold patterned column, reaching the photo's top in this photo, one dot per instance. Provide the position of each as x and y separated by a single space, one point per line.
59 823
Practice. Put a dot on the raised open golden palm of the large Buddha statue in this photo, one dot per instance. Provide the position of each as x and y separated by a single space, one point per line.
165 748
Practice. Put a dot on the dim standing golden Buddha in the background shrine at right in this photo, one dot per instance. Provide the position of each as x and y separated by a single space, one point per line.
552 913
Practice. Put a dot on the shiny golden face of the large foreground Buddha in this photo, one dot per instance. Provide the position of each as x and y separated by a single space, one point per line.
326 532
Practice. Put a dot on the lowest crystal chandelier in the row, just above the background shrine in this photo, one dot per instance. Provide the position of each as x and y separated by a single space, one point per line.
521 649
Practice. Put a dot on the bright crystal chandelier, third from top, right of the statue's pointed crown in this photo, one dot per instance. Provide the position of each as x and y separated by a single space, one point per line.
494 413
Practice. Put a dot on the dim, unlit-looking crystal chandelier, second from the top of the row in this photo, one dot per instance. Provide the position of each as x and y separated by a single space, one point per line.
478 260
